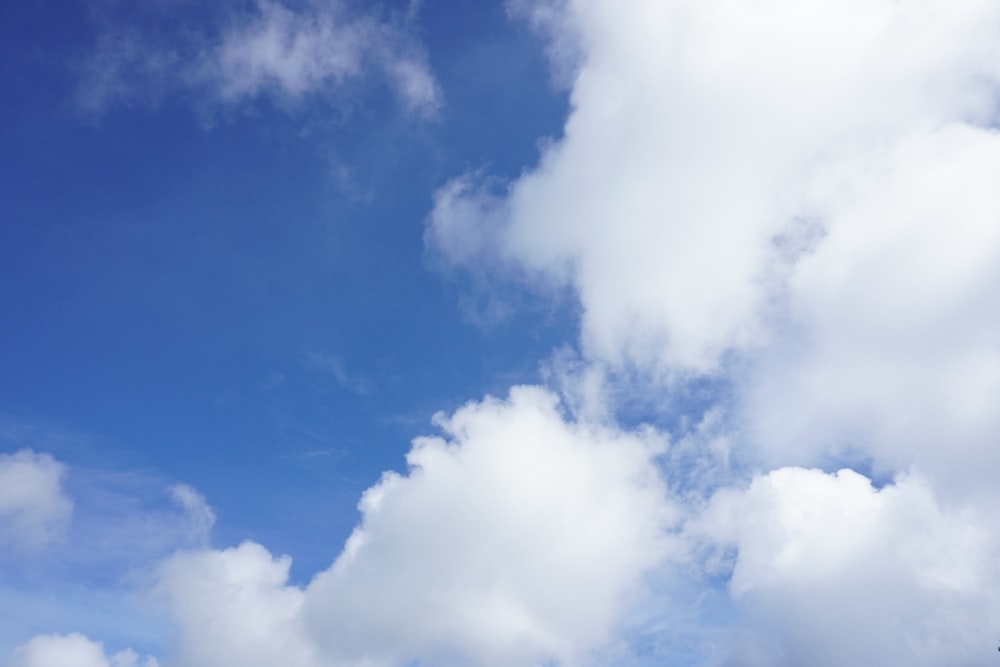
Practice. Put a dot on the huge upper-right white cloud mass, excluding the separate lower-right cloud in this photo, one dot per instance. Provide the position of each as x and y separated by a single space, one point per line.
805 191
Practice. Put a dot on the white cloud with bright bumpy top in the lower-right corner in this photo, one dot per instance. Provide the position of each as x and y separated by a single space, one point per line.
831 571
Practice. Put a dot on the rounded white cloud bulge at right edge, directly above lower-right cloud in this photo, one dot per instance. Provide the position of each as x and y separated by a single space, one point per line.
895 351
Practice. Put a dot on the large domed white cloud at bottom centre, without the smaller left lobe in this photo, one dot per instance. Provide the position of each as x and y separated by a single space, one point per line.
514 541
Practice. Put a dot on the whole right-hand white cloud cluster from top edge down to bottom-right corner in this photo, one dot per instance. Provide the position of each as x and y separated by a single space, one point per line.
799 197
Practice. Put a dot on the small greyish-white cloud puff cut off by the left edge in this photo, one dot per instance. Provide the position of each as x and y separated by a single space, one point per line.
34 507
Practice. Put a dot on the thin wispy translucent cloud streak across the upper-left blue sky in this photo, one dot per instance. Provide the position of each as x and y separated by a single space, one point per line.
265 49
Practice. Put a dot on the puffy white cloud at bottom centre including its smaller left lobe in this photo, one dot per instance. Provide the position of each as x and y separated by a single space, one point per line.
518 538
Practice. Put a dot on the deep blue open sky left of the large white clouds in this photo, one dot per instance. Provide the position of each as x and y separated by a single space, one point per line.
172 288
